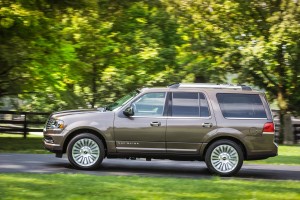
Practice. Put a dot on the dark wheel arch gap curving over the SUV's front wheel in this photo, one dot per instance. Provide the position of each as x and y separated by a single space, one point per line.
84 130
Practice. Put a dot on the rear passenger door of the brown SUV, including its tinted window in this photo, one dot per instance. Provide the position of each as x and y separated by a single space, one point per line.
188 122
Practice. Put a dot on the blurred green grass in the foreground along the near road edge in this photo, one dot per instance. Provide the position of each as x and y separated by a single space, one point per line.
79 186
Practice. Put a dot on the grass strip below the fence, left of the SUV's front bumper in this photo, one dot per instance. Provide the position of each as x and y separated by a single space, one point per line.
13 143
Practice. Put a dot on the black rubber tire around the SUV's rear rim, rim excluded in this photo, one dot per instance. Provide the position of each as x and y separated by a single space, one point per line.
224 142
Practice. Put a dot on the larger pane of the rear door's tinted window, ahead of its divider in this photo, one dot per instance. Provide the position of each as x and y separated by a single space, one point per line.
185 104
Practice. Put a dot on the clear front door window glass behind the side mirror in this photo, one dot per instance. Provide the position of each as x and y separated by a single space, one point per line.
150 104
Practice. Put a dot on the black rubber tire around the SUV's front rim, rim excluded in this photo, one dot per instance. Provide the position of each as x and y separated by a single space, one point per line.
82 136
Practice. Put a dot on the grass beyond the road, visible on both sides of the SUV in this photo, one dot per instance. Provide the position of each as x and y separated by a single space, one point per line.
289 155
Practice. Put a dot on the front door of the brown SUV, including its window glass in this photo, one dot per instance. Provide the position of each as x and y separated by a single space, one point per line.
145 130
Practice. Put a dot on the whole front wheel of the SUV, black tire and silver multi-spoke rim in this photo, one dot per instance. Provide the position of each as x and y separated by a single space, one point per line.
85 151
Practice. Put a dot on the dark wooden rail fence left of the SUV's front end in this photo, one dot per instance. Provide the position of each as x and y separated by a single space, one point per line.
15 122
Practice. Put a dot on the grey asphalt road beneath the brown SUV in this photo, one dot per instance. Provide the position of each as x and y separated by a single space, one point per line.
39 163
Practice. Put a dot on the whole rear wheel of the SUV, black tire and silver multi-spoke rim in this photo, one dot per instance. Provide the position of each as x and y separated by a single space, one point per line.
224 158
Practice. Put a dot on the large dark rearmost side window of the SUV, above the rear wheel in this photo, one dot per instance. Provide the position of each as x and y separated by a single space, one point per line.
241 106
